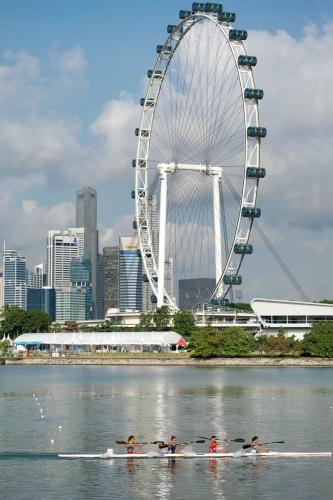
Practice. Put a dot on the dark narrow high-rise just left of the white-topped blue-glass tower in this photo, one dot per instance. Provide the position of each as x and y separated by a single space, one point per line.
111 277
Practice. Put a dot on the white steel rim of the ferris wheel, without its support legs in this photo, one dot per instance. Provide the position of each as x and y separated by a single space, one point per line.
151 267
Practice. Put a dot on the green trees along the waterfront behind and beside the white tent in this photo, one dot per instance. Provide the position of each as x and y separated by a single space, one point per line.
206 342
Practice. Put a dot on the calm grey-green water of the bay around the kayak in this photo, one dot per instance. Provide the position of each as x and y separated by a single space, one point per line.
97 405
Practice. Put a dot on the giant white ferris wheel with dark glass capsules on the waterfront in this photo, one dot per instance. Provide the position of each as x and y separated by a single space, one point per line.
197 168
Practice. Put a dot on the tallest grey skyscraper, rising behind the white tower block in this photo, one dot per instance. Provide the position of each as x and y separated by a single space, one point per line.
86 217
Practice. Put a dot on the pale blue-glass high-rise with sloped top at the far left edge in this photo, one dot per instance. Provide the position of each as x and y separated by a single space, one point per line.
15 279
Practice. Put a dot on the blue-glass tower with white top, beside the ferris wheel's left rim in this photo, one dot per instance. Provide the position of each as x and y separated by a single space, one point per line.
130 274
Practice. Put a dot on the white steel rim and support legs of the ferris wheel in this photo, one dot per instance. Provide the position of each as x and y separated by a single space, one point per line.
155 272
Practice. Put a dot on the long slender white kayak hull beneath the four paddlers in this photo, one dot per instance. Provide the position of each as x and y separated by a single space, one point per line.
140 456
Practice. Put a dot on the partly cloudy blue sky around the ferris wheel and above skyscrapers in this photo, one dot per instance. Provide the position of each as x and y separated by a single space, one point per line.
71 121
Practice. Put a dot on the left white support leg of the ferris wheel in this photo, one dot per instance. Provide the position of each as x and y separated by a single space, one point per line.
161 244
